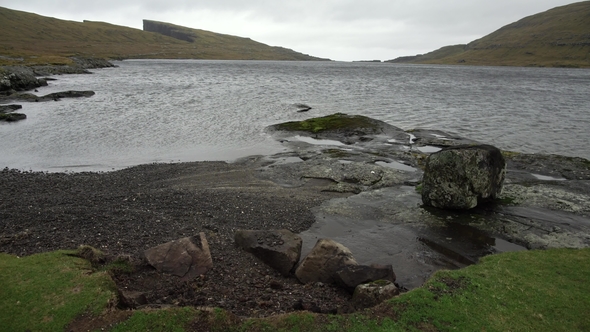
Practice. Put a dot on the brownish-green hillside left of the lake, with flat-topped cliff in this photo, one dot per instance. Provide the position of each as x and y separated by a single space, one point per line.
27 38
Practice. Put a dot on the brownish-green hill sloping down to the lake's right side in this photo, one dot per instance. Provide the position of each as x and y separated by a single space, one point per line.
559 37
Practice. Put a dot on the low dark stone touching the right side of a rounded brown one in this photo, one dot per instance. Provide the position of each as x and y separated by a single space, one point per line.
351 276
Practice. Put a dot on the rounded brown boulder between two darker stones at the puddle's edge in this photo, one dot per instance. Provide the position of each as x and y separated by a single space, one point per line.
323 261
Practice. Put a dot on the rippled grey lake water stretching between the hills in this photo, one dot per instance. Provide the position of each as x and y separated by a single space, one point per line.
148 111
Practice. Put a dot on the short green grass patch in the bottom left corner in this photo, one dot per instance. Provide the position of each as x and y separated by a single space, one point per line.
47 291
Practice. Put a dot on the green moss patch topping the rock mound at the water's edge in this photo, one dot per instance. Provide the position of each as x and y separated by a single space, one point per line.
334 122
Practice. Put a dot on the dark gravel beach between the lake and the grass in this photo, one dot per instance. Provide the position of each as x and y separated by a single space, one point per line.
128 211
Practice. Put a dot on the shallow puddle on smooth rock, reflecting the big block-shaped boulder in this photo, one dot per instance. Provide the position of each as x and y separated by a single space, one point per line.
390 227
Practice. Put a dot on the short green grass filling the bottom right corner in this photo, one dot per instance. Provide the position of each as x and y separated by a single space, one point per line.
524 291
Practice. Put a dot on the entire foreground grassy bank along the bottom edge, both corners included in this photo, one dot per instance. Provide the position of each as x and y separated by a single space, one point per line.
520 291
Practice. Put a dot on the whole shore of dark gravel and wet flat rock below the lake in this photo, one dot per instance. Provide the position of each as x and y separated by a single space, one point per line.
322 189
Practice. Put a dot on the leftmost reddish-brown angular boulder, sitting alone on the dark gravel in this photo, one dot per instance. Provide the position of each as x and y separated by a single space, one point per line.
186 258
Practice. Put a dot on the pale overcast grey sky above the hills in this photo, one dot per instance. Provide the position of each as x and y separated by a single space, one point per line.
336 29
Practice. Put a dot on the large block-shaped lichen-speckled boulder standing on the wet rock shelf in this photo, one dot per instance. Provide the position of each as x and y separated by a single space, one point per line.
462 176
